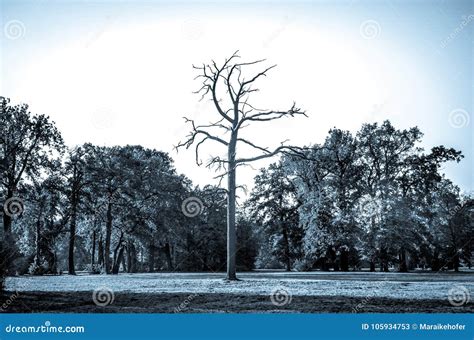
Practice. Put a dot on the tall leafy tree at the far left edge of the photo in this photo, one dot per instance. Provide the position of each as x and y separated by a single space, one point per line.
28 145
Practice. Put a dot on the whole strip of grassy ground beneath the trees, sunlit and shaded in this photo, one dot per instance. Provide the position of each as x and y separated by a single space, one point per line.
265 291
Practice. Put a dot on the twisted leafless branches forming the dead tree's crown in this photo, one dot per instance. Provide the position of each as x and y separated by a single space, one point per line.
230 73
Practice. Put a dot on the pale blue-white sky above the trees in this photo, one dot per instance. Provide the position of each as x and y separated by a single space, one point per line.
120 72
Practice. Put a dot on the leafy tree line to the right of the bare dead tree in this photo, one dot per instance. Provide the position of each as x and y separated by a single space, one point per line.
373 199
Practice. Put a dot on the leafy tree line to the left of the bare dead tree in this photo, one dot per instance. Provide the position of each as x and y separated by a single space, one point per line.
103 209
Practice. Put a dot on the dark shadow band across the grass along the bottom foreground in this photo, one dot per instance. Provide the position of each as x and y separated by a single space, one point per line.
81 302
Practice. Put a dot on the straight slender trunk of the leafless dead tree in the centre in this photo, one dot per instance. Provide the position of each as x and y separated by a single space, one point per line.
231 235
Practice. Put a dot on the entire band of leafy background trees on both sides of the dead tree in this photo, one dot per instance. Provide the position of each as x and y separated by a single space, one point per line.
371 200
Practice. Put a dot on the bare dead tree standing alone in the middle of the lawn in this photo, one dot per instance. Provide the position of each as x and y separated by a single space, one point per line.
232 118
